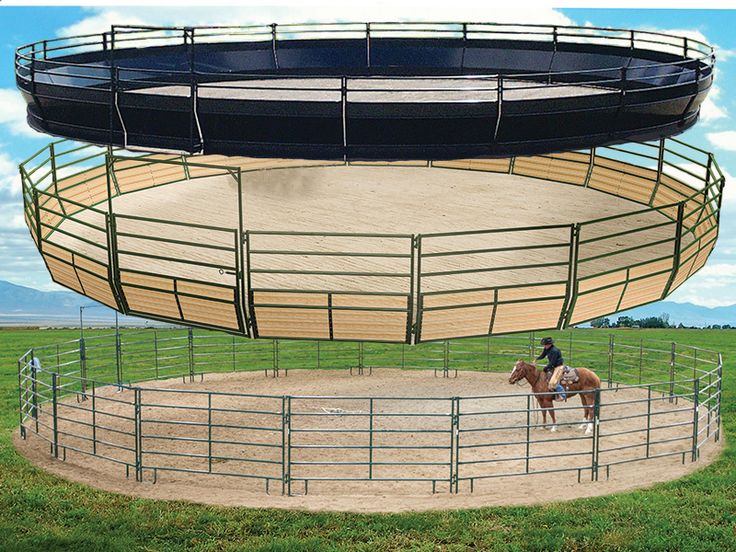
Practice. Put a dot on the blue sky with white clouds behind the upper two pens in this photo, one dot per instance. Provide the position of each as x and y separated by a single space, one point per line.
20 263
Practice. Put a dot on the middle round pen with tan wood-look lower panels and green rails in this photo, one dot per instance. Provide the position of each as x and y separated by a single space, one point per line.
380 287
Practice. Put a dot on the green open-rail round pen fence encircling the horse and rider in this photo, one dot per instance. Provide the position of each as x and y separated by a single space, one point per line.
97 399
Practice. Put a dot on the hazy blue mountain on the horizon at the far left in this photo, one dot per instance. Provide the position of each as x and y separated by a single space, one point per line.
21 306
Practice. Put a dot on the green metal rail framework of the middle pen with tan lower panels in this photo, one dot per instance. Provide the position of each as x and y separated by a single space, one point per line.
693 218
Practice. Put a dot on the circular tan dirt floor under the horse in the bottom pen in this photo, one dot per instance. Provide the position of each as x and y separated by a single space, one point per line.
391 440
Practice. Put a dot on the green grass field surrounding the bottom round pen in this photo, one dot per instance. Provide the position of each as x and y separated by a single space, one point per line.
41 512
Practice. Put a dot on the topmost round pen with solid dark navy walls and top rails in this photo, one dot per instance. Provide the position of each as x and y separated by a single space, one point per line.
370 90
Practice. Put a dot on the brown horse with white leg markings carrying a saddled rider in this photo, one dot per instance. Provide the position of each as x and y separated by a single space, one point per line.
586 386
